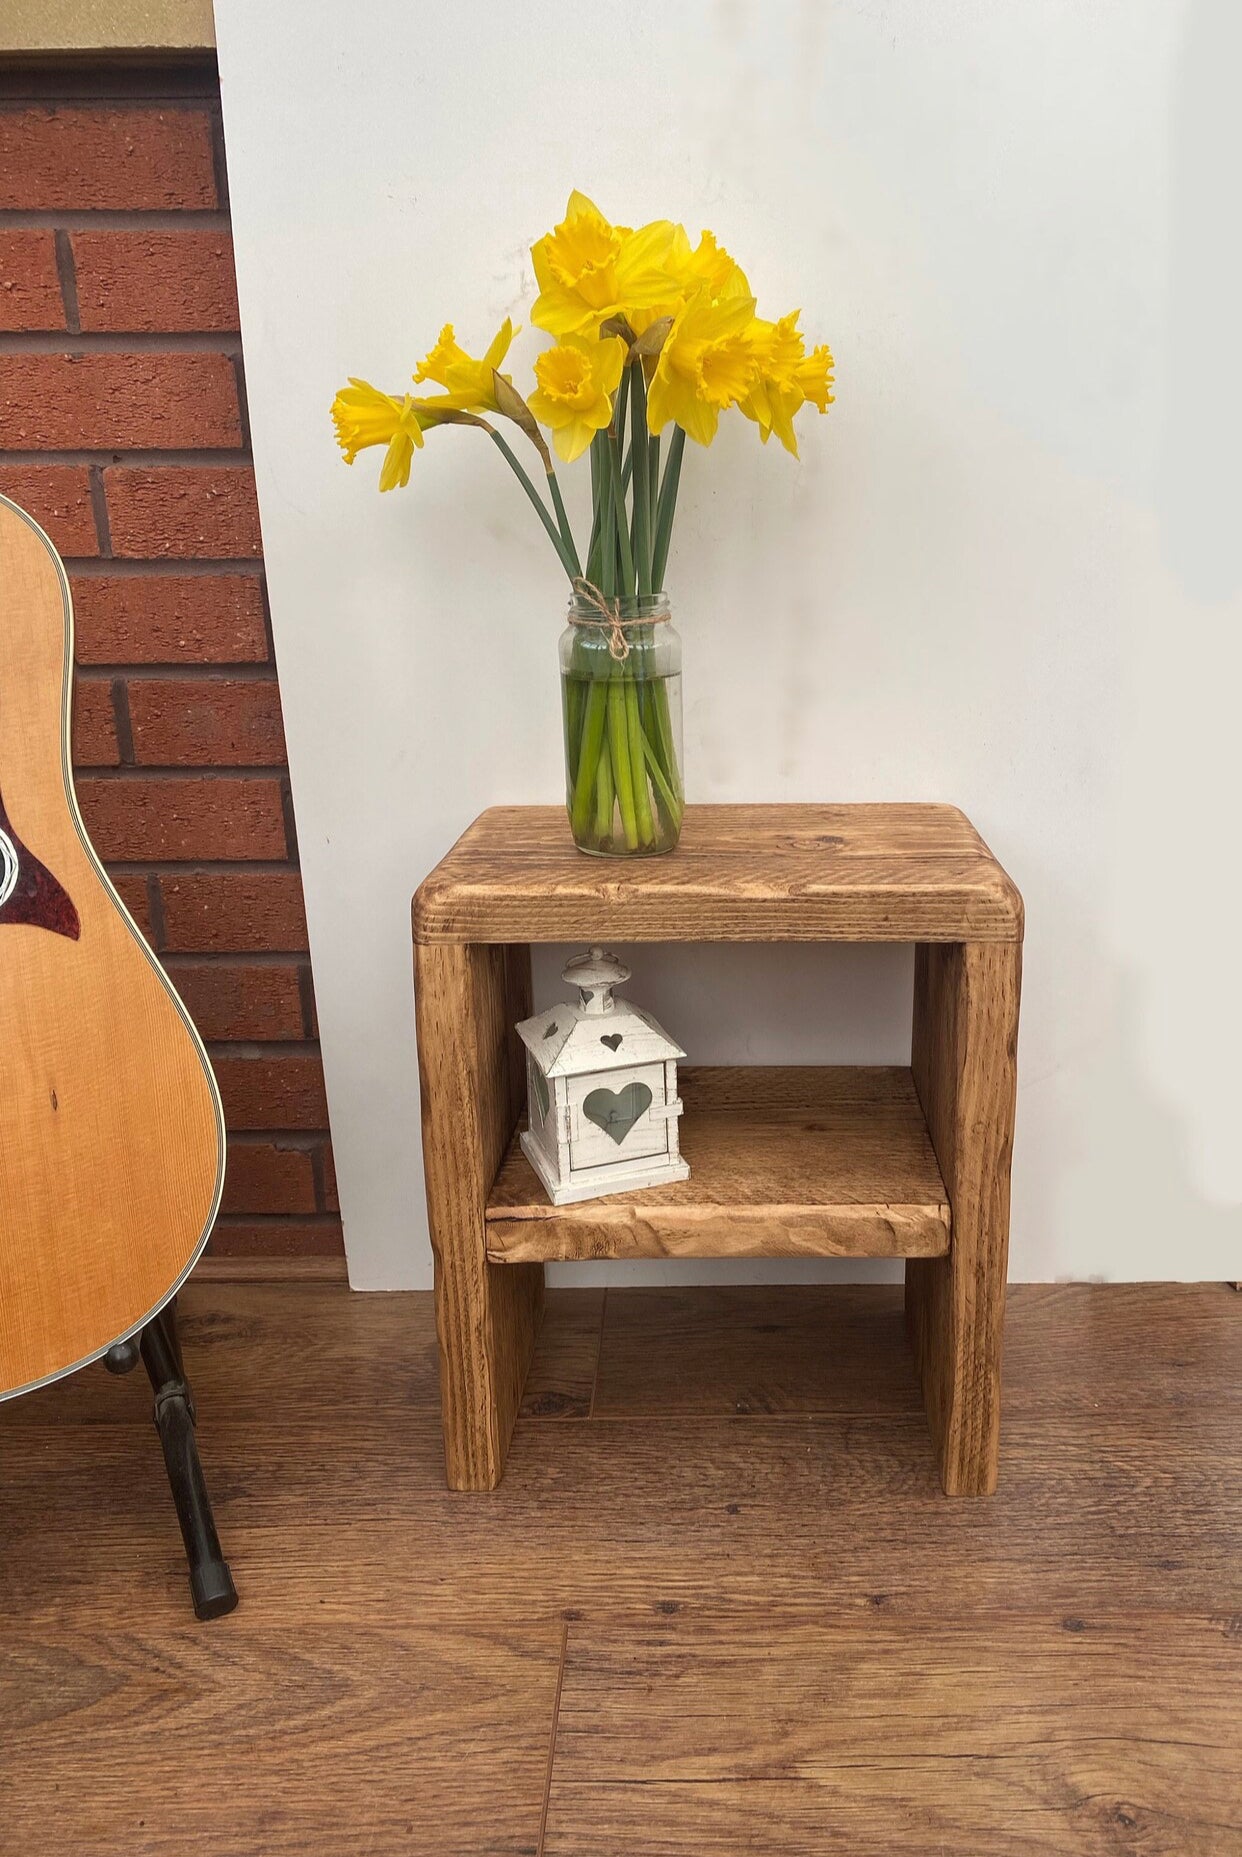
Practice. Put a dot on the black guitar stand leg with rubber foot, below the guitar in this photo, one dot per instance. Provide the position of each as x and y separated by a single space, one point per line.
161 1353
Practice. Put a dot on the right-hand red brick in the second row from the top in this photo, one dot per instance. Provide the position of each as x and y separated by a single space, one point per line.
155 281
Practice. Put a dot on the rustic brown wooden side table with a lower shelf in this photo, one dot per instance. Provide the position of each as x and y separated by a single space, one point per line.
784 1162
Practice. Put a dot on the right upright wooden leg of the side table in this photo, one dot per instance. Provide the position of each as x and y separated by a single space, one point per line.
964 1071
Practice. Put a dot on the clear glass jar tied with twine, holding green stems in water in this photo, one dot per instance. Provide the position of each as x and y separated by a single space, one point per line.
621 692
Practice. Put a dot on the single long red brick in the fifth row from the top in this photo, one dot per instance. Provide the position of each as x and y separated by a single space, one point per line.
170 619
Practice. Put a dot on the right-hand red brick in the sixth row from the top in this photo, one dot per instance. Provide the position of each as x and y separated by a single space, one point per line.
207 723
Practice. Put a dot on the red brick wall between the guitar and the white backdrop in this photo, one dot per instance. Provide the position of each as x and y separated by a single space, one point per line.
123 432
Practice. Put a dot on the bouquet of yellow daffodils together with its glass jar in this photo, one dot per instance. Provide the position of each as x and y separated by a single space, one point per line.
649 333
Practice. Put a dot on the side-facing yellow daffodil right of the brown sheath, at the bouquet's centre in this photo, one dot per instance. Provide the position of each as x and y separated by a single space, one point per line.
705 367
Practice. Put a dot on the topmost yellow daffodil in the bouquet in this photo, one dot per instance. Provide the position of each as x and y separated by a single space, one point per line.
589 270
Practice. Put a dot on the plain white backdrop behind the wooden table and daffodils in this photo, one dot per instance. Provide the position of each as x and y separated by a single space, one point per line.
1007 571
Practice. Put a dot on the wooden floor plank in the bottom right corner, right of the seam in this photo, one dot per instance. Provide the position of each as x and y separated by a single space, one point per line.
1039 1734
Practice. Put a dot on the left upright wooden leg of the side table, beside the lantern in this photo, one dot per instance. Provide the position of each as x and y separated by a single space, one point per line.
469 1000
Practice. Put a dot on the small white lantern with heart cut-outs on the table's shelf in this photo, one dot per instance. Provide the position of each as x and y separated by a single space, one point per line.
602 1091
